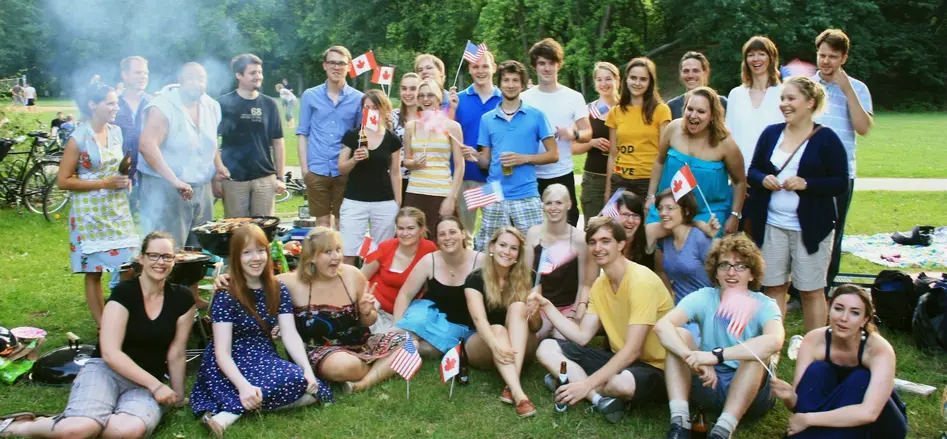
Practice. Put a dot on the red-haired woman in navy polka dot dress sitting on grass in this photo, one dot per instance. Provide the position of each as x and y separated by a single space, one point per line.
241 370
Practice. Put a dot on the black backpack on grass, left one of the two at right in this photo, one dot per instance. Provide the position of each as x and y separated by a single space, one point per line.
895 298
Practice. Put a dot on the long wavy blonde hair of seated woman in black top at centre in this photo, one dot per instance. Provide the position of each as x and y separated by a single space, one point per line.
518 279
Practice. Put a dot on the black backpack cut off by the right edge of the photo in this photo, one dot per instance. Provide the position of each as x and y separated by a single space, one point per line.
930 316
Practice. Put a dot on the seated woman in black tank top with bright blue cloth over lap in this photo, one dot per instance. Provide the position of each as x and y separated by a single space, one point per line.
439 318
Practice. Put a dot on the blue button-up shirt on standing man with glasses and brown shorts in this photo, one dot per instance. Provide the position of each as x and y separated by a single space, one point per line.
324 123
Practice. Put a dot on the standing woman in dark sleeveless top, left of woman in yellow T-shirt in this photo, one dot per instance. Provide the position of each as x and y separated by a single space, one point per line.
607 80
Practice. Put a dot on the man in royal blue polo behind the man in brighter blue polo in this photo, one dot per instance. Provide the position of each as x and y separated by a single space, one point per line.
470 105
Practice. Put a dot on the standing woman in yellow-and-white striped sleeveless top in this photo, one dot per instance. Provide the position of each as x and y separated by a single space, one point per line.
431 143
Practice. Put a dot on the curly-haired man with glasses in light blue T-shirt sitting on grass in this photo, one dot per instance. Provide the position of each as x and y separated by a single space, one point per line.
731 379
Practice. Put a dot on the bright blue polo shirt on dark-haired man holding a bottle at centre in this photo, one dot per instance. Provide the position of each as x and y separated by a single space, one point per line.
521 135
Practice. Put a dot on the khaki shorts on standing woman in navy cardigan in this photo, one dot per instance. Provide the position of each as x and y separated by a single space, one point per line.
785 254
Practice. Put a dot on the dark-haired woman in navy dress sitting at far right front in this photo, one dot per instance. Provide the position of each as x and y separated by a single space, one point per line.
844 381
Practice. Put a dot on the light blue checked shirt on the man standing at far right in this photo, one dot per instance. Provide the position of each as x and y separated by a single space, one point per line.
837 117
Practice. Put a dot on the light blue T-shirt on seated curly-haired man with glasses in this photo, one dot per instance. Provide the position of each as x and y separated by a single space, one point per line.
701 307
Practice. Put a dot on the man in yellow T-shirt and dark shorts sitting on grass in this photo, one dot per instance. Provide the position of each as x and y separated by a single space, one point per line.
626 301
